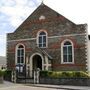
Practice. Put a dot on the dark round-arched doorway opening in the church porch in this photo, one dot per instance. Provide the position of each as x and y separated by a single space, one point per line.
37 62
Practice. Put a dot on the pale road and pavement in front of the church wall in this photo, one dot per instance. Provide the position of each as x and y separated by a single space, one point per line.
12 86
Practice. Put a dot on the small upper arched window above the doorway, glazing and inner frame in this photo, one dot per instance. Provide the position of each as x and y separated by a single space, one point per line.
42 39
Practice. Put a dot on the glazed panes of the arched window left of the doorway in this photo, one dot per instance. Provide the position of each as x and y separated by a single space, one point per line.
20 54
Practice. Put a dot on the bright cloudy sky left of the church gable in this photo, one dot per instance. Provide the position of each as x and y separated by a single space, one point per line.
12 14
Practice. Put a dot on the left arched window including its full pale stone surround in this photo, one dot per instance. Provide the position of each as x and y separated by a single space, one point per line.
20 53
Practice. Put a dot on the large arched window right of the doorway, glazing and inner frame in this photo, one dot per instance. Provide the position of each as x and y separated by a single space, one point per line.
67 52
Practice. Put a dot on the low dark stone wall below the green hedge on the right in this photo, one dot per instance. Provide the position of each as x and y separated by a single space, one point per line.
66 81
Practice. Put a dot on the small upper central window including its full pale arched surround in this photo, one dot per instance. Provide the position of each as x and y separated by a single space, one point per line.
42 41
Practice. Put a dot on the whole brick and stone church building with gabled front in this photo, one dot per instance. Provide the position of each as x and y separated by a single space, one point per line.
48 41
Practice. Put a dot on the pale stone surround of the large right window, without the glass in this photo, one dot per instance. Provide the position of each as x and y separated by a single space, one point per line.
62 44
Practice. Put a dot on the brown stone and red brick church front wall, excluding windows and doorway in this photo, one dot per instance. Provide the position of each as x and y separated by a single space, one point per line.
58 29
